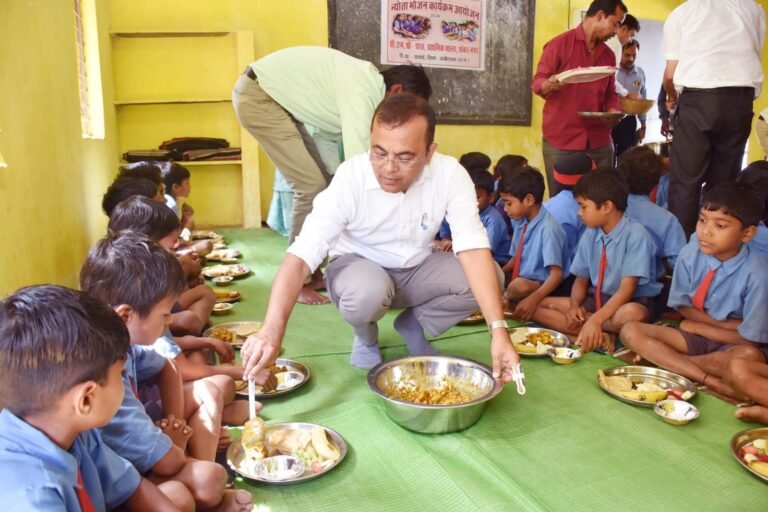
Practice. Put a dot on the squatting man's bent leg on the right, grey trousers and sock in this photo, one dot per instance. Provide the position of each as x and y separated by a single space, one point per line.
436 295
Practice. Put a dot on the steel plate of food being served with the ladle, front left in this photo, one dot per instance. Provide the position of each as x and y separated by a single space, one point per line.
318 448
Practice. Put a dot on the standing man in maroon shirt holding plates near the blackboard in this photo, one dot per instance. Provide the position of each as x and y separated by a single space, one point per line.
584 46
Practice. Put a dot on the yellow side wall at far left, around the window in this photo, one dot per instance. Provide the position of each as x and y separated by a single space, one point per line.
50 194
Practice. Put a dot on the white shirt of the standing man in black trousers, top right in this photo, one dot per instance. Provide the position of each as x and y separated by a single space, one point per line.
717 43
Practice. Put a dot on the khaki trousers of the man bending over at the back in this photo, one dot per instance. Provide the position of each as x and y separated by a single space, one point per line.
286 142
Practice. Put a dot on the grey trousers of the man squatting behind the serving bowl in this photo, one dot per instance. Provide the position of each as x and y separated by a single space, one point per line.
437 291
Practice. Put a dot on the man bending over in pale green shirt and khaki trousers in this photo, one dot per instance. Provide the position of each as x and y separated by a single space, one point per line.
283 93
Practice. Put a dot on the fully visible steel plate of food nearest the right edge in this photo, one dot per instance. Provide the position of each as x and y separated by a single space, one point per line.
644 386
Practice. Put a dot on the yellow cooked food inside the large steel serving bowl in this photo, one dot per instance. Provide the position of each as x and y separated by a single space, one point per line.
444 391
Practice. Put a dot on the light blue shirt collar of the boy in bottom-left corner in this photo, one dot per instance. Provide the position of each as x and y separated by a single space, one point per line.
22 437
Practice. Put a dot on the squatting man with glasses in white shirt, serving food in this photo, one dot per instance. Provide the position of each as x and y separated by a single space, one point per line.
377 220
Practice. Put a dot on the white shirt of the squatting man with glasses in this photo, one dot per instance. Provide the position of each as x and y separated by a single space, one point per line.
355 216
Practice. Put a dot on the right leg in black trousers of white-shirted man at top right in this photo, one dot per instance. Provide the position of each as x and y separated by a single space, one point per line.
730 138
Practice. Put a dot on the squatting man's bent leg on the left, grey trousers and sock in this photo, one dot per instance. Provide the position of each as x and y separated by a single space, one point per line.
363 292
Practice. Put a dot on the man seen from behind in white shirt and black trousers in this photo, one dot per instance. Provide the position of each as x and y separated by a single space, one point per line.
713 73
